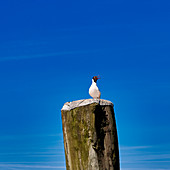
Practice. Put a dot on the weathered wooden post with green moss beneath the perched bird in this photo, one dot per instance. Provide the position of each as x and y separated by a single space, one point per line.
90 135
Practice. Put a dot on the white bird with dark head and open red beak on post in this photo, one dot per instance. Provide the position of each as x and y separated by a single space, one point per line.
94 90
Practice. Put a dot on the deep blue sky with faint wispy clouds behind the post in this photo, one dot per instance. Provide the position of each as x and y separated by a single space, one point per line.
50 50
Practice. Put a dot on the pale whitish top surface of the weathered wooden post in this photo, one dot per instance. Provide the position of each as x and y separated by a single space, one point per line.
78 103
